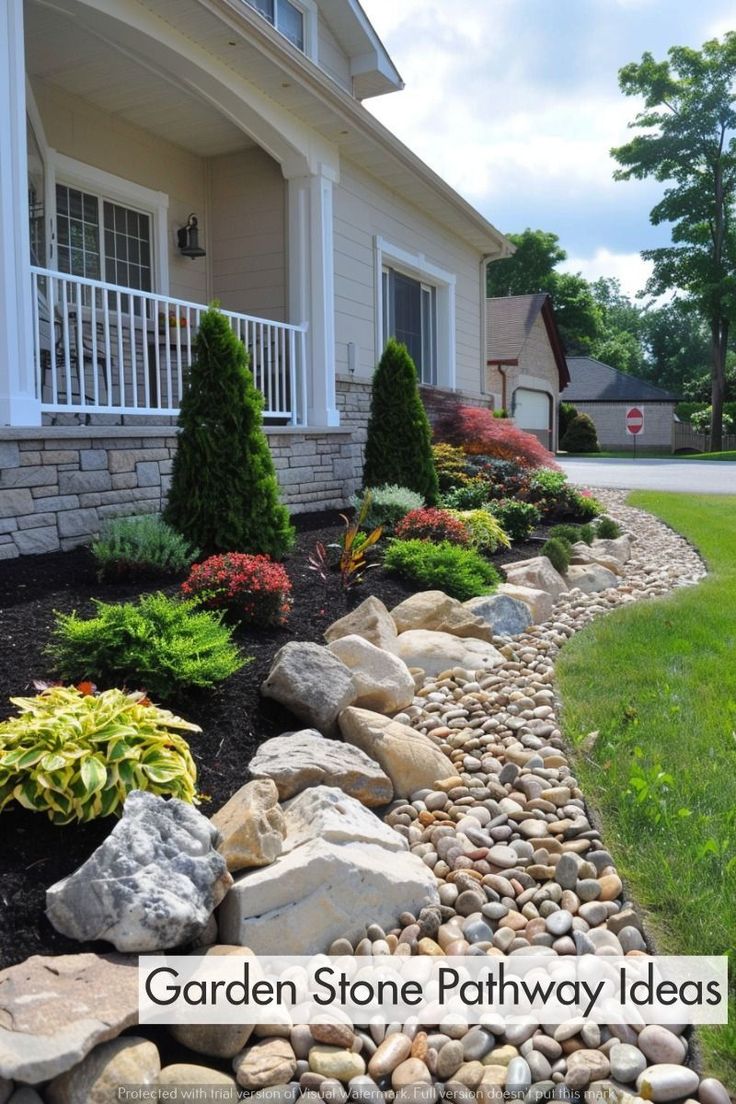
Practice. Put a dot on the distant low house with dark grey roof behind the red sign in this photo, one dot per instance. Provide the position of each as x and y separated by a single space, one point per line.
606 395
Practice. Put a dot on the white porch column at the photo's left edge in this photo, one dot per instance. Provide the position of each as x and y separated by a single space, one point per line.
18 401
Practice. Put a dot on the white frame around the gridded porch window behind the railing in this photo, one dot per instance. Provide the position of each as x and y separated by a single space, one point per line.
106 186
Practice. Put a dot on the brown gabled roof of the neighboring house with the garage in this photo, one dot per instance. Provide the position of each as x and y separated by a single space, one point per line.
509 322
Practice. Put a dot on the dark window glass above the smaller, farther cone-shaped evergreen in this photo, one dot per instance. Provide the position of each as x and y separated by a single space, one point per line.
410 315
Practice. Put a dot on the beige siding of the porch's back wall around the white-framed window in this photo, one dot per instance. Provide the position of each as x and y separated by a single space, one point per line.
78 130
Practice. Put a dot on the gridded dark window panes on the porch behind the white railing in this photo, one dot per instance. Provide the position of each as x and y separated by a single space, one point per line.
102 240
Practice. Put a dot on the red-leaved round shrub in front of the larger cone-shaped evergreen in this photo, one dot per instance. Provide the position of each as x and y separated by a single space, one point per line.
254 589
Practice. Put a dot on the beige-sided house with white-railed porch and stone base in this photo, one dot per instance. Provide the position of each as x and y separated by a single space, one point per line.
157 155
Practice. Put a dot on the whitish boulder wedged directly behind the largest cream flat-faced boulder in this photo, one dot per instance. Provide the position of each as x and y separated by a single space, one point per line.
326 813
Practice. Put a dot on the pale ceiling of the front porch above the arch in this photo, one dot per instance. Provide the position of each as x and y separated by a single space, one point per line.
61 51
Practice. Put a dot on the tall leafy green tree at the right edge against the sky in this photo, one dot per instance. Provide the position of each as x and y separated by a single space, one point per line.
688 142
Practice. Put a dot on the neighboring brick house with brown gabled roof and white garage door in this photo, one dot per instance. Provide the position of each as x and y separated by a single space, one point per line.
527 366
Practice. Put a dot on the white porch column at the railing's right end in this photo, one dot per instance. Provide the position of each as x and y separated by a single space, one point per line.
312 288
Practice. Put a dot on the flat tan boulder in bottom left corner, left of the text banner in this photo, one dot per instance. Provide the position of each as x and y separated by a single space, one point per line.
59 1009
